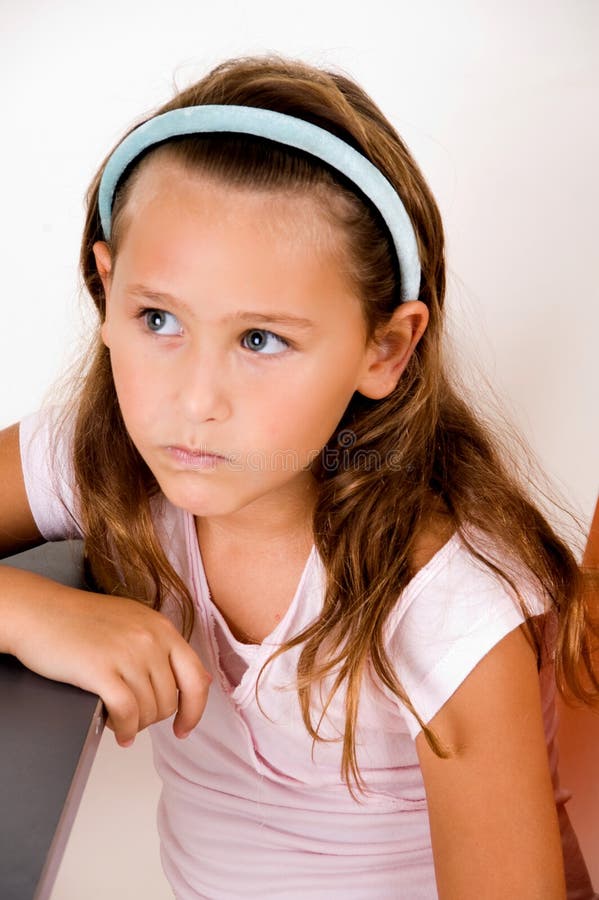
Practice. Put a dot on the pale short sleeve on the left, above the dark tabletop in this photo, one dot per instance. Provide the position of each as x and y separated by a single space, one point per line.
45 439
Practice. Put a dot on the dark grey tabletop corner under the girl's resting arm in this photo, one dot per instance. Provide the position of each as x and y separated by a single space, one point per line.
49 734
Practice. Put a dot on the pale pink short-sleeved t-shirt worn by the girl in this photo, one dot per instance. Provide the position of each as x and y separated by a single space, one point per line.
249 807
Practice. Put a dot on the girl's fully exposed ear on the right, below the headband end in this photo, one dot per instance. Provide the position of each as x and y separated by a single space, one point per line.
390 349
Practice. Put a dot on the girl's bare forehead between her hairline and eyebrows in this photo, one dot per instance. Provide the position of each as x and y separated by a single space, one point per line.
192 233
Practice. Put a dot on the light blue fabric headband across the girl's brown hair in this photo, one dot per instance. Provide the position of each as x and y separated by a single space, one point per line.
285 129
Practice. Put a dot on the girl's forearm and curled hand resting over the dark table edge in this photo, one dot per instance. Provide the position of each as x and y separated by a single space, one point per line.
129 654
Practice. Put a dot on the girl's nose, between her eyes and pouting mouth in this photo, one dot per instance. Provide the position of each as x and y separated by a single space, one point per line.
202 393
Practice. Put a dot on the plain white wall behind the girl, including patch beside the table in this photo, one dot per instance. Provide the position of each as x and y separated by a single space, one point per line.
497 101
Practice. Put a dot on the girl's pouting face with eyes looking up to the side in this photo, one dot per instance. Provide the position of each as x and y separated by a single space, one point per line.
235 342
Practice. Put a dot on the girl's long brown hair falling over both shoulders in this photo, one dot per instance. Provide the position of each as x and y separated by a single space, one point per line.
436 457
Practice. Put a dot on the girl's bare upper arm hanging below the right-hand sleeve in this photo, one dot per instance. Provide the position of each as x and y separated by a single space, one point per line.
494 825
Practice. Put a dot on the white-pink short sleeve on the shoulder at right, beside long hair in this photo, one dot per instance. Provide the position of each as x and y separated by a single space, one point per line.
452 613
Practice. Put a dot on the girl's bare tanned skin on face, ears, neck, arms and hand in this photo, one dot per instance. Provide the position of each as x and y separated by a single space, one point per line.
223 257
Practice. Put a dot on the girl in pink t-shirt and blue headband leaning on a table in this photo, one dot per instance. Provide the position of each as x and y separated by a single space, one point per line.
319 584
